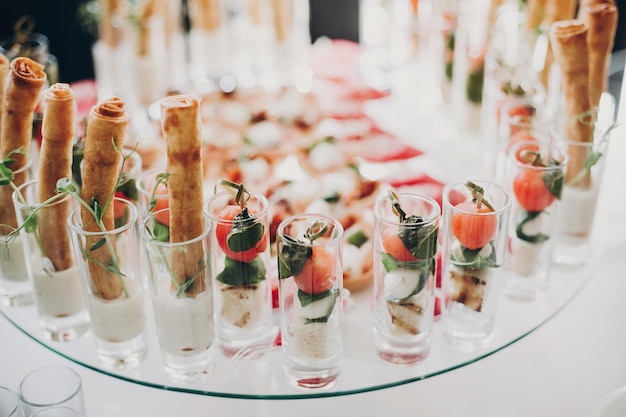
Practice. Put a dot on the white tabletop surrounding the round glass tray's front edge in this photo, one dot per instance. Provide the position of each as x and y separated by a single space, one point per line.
565 368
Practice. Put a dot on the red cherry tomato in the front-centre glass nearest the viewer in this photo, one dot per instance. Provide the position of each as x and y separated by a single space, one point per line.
318 272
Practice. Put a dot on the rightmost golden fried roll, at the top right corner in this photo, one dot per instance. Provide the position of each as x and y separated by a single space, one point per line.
602 22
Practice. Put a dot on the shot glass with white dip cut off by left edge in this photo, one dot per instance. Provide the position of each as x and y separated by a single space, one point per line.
15 286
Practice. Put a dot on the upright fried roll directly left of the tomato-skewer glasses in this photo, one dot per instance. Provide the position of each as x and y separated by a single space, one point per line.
181 125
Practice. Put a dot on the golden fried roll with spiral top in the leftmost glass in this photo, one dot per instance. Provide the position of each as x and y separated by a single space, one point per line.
23 88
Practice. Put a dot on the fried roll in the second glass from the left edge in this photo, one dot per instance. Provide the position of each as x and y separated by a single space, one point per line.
55 162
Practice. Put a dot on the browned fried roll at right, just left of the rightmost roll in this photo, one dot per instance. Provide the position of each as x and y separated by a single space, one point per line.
569 42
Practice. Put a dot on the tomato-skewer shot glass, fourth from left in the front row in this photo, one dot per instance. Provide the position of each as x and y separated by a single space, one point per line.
473 249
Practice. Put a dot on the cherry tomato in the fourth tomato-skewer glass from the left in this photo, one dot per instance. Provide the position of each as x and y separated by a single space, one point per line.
470 227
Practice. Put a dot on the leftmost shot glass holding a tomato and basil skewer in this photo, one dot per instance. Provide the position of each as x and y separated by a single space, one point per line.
240 259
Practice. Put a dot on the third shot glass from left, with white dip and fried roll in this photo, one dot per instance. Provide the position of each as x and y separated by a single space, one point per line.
109 263
